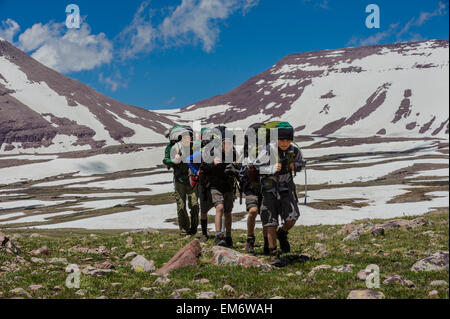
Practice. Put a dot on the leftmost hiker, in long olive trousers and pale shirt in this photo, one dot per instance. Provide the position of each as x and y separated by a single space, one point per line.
174 158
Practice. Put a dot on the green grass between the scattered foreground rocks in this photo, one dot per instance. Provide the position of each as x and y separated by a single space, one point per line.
391 252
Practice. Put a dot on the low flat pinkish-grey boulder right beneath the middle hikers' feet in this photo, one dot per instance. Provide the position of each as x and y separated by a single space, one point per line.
226 256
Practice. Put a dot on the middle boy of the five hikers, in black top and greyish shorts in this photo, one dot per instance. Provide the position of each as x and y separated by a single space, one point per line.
217 179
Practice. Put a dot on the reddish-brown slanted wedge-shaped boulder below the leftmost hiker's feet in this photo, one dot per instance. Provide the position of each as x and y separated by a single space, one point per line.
187 256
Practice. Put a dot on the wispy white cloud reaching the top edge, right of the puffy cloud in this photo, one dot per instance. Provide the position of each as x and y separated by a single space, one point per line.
190 22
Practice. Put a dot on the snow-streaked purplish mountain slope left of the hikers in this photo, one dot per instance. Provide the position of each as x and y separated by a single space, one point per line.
44 111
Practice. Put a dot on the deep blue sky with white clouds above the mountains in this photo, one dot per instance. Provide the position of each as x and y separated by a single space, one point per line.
165 54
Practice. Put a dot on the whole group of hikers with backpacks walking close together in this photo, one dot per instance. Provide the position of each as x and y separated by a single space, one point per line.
209 172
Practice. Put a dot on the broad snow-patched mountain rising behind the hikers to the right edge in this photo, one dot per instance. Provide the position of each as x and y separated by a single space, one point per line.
394 90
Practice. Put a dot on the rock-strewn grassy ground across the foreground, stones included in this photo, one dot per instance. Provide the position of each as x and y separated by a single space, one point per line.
326 262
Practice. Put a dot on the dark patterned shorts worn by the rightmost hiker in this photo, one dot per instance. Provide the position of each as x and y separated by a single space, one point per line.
272 208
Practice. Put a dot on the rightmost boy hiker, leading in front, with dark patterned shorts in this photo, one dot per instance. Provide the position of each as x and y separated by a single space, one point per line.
277 163
